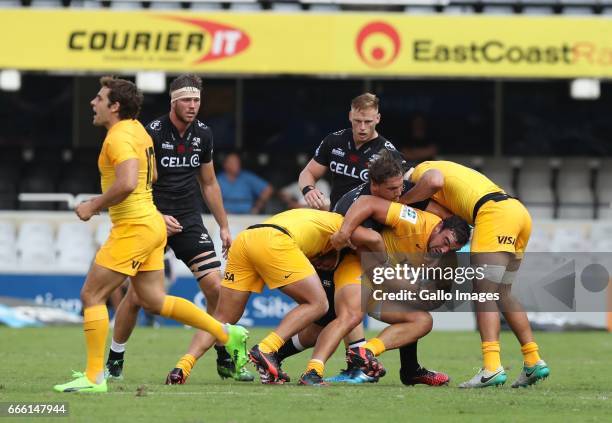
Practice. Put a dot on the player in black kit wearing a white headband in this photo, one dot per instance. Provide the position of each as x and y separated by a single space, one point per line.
183 148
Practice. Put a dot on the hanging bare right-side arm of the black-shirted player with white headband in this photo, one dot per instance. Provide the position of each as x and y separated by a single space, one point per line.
211 193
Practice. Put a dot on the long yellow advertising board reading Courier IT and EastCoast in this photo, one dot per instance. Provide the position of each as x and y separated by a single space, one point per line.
304 43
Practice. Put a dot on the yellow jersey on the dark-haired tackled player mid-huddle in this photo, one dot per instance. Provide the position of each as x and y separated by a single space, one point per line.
408 229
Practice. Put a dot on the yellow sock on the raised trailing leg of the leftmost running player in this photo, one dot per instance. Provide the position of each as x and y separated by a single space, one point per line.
188 313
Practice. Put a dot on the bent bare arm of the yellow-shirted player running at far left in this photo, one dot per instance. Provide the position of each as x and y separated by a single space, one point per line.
126 181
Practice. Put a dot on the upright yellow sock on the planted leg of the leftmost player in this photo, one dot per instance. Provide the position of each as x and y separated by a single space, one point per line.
95 325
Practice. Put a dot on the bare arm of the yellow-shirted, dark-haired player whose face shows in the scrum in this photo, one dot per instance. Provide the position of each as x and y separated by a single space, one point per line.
365 207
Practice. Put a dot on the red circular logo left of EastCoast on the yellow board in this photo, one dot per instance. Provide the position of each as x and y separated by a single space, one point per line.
378 44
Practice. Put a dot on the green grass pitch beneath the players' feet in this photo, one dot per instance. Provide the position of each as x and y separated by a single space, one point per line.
579 388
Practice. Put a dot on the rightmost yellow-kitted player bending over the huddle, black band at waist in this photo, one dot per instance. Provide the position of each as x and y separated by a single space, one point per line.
502 226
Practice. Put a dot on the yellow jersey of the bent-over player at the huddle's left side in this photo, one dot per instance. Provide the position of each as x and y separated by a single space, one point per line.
310 228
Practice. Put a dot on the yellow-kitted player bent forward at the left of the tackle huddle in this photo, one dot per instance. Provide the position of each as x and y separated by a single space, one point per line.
277 253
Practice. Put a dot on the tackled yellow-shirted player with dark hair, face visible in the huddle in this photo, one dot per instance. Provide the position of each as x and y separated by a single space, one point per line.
409 231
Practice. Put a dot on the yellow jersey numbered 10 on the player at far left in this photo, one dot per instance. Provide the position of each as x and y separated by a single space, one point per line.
126 140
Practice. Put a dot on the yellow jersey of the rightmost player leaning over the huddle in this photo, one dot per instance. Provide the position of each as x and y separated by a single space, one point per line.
463 187
